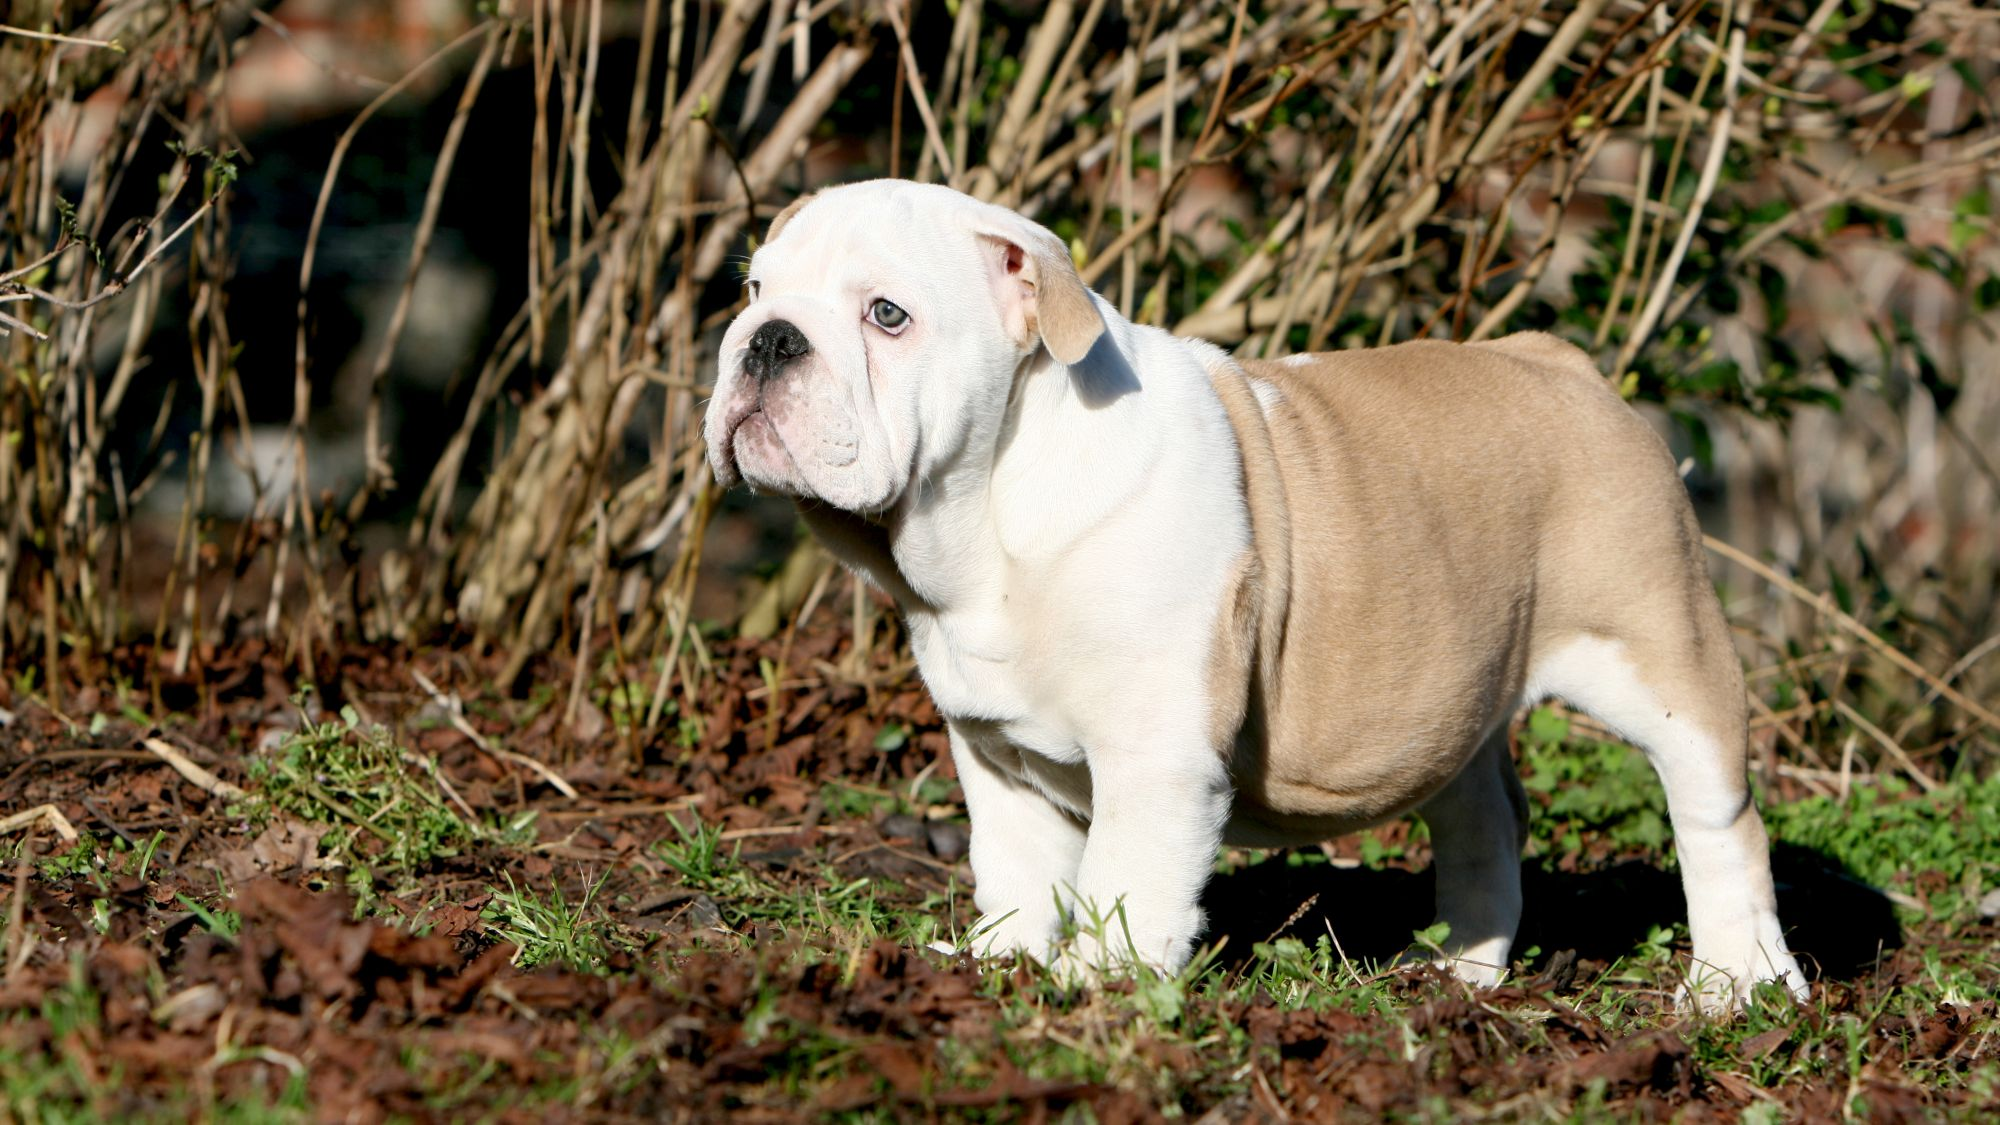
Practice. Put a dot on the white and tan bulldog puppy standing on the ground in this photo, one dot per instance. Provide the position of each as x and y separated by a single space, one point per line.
1169 600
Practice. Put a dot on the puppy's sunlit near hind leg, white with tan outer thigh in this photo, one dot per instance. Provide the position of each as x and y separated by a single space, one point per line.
1681 702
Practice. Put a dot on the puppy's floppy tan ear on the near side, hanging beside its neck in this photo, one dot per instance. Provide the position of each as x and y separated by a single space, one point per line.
1039 291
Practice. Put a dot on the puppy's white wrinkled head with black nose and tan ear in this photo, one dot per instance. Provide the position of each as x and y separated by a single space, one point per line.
885 321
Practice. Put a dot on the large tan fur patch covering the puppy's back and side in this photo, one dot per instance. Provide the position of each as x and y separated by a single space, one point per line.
1447 513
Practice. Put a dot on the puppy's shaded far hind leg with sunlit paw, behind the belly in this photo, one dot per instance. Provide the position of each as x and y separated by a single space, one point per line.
1477 830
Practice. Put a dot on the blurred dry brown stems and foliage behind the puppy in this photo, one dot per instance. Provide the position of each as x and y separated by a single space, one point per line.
393 321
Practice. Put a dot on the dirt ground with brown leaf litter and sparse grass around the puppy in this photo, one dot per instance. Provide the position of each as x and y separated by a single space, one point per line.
699 952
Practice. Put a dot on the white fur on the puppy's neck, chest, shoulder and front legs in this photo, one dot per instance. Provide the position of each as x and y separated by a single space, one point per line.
1035 656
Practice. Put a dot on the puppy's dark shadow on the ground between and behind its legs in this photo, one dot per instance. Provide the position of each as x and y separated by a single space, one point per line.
1835 924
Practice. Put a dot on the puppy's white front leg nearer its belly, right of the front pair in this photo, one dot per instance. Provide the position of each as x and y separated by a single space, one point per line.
1155 830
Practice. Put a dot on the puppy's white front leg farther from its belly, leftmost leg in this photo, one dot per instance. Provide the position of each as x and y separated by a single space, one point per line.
1025 852
